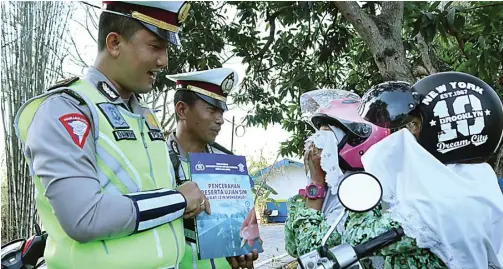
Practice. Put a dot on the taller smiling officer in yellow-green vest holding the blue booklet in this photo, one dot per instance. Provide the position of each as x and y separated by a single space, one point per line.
105 187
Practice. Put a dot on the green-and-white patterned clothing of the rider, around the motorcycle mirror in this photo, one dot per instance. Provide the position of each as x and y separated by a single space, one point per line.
305 228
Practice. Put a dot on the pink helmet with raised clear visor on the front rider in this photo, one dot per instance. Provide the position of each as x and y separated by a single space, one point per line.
360 134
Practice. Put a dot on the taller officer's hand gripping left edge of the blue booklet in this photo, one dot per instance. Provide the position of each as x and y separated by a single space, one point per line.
196 201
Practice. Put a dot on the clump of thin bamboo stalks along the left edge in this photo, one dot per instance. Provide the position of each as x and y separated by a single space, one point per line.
31 46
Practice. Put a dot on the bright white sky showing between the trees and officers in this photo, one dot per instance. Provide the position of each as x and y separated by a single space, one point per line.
249 143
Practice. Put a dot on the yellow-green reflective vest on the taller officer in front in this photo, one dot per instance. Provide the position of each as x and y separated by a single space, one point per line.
122 165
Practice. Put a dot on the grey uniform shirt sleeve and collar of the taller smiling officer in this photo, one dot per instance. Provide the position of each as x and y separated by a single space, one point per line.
69 173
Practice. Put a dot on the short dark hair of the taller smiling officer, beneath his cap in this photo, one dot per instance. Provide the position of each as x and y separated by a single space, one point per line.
122 25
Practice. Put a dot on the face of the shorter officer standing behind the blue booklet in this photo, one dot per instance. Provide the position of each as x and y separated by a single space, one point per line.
204 120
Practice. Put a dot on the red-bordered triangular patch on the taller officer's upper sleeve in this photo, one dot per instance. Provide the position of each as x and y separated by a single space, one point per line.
78 126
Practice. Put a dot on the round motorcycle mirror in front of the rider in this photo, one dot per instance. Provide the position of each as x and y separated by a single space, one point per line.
360 192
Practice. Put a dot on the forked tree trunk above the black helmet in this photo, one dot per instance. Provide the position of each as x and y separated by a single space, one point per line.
383 35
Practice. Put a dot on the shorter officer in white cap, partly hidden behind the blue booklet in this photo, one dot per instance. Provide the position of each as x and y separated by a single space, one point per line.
200 101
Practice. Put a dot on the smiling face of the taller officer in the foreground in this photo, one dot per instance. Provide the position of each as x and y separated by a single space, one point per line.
140 61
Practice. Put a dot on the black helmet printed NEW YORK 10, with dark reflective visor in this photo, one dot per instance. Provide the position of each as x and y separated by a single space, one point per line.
461 115
